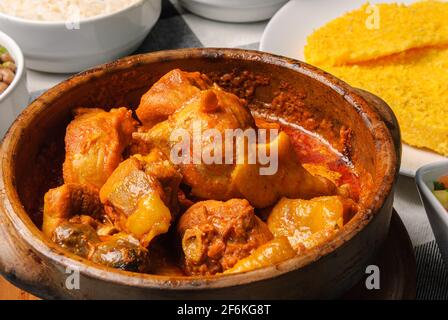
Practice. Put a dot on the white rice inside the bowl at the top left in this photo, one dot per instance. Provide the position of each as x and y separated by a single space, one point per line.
62 10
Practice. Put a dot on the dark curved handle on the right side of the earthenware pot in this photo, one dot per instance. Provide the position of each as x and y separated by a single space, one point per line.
388 117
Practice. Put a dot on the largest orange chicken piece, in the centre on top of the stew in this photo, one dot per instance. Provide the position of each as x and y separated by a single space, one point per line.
221 180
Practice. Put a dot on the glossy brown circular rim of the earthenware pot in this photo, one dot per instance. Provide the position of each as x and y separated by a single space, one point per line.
386 164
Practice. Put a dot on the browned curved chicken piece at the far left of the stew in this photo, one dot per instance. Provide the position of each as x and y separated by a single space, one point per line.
62 203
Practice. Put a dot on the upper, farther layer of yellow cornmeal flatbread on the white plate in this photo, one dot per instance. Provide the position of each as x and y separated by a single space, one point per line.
354 37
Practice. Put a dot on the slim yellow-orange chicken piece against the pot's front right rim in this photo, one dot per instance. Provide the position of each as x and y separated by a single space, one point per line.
270 253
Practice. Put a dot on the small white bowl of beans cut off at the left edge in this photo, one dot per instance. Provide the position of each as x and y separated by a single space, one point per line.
13 91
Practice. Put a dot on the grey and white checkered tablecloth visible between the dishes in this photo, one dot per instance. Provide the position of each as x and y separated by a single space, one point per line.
178 28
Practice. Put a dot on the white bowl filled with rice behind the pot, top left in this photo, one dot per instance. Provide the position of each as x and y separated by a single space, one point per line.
66 36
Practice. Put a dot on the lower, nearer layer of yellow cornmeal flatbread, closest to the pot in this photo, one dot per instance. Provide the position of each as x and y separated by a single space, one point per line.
415 85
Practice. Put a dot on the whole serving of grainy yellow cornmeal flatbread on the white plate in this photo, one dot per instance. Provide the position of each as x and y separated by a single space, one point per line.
405 62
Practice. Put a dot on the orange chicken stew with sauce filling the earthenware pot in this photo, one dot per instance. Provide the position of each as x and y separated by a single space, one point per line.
126 201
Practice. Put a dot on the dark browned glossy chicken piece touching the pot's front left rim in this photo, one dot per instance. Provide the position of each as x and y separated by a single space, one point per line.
123 252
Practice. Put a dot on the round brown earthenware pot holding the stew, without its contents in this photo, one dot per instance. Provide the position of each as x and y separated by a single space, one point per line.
35 264
